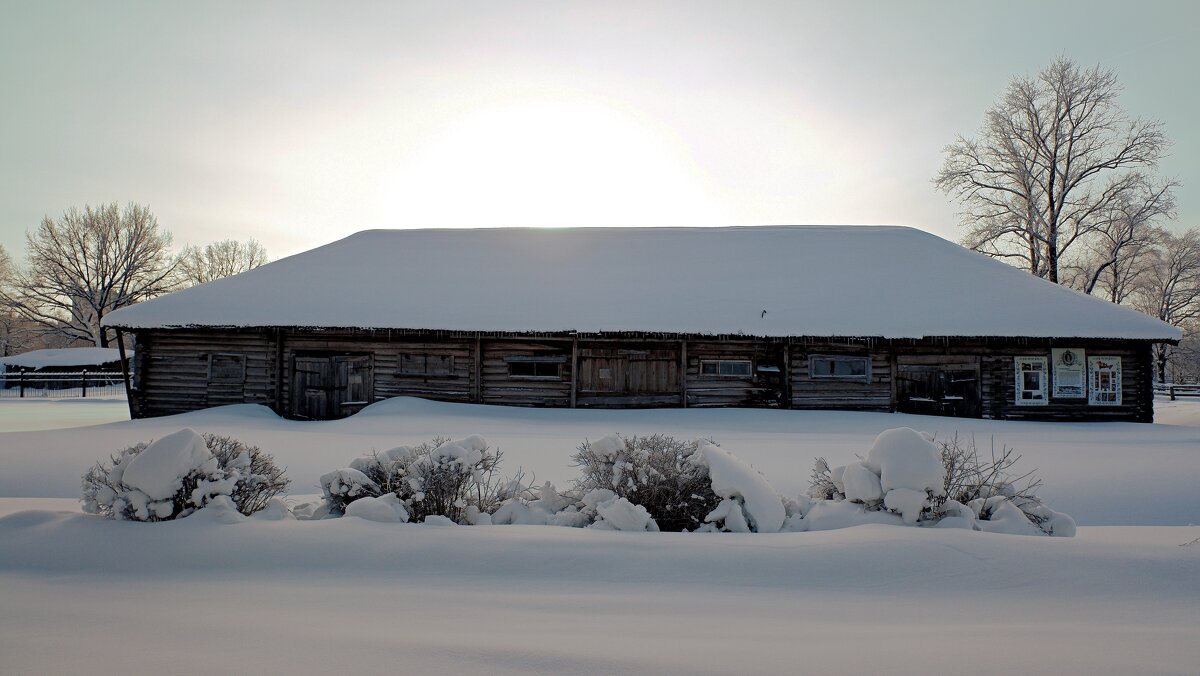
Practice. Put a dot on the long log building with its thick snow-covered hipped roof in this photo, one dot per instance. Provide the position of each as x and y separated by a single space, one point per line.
866 319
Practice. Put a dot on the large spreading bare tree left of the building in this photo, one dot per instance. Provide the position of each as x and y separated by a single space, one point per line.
88 264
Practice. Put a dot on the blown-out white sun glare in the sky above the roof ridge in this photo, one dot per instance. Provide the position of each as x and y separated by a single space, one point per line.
548 165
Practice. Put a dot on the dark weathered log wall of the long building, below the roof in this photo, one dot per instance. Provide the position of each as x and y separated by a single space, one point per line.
172 370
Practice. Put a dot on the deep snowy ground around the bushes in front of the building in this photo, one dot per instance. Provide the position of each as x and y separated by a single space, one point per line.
341 596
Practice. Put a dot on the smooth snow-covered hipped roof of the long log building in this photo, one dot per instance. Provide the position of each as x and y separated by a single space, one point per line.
765 282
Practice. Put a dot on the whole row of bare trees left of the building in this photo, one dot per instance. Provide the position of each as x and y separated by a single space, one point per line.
93 261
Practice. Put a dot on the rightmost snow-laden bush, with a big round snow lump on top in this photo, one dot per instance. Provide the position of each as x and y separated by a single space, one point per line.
932 483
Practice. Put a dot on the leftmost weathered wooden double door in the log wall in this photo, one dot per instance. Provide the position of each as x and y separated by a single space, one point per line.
326 387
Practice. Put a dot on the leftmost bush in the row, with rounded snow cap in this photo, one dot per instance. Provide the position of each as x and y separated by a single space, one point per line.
181 474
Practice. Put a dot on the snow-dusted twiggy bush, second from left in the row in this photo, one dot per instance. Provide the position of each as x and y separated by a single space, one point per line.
457 480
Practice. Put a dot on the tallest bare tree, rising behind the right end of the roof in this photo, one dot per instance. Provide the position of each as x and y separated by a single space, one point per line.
1055 159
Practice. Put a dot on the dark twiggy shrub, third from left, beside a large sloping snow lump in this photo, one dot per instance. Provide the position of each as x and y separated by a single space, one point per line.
657 472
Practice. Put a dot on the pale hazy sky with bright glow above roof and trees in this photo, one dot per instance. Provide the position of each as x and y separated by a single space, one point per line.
298 124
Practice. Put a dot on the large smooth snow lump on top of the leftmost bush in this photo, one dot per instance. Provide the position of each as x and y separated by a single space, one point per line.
160 470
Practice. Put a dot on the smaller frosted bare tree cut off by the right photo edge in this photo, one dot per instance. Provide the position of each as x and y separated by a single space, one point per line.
1172 288
